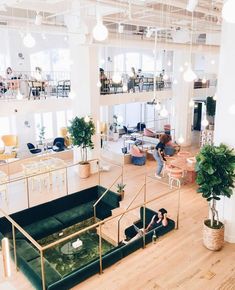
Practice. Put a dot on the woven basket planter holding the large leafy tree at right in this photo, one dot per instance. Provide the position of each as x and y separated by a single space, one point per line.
213 239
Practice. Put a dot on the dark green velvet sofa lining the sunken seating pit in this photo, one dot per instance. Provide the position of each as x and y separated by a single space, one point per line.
28 256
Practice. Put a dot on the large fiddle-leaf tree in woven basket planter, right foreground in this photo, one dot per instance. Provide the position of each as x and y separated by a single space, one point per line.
215 176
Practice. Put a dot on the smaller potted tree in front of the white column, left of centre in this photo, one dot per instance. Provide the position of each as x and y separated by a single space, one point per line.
81 132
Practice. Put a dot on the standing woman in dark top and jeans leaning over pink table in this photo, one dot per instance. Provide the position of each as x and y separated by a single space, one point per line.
158 154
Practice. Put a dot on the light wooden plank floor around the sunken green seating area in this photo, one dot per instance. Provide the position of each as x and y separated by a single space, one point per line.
177 261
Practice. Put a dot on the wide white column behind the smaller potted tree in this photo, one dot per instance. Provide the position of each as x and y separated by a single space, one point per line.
84 78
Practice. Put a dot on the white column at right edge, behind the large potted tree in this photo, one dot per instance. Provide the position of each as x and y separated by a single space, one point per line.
225 117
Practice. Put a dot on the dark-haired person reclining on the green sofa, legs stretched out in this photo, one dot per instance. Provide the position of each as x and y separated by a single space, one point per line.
159 220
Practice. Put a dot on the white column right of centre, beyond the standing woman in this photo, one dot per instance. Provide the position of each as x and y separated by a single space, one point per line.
182 93
